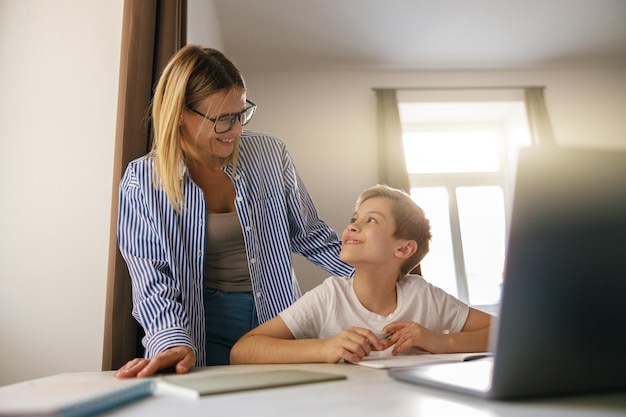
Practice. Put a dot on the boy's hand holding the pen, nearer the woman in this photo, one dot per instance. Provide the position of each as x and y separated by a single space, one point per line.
352 345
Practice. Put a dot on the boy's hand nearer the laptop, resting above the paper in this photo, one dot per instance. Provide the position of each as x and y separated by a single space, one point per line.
406 335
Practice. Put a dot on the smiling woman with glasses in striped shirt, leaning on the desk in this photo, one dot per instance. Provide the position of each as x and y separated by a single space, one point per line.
209 218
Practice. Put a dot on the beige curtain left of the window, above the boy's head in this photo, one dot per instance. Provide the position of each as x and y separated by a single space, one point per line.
391 162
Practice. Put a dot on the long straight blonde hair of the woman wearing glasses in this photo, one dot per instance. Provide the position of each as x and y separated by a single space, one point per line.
191 75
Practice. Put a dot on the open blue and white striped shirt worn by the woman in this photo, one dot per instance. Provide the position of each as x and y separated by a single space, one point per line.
164 250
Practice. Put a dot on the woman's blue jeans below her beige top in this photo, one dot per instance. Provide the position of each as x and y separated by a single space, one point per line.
228 315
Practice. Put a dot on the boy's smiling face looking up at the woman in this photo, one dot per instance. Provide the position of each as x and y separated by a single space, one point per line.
368 238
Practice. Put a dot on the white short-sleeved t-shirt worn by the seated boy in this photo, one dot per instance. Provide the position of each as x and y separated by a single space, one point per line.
333 306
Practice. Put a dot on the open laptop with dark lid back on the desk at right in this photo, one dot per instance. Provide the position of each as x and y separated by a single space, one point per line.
561 328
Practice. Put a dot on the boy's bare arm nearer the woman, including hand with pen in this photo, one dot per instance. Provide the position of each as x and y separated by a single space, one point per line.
272 342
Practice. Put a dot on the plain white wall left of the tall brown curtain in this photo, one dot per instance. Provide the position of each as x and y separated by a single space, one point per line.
59 78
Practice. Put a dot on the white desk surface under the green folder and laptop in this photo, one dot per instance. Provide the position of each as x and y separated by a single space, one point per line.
366 391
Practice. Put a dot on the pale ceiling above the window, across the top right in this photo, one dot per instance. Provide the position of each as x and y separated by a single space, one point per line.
423 34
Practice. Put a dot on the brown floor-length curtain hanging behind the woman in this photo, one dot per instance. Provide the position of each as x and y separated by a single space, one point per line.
152 31
